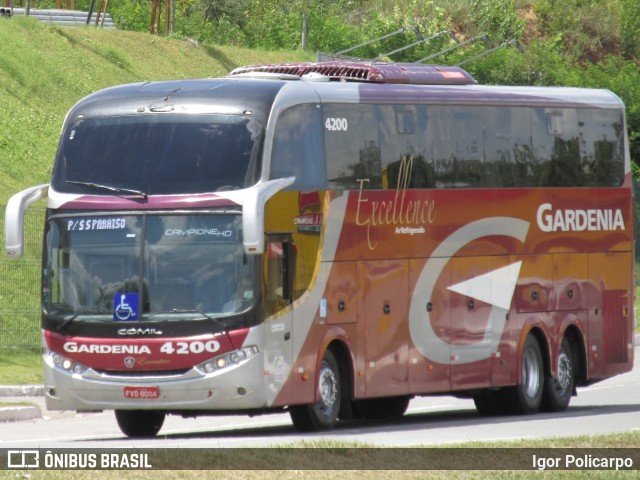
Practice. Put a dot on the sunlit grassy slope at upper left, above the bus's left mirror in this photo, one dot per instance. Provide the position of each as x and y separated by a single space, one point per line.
45 69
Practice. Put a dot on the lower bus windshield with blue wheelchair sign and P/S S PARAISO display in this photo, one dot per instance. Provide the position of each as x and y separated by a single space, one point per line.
138 267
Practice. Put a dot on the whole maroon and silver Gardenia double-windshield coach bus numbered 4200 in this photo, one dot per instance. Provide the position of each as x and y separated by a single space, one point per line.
332 240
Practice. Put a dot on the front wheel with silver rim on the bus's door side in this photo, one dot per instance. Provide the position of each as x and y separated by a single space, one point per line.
324 414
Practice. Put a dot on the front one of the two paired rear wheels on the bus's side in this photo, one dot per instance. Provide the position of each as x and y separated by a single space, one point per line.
527 396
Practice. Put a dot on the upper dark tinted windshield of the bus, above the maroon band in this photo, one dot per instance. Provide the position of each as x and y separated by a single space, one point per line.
158 154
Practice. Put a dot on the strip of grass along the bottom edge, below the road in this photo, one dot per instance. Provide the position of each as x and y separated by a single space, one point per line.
303 459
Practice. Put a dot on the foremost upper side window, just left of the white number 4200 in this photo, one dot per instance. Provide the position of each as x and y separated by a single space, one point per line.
298 148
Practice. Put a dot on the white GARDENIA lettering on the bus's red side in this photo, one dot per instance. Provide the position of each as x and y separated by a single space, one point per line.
550 220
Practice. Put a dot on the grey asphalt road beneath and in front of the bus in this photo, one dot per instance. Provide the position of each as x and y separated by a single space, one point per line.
607 407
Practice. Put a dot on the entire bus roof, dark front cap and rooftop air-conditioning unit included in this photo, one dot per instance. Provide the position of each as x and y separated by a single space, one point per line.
246 90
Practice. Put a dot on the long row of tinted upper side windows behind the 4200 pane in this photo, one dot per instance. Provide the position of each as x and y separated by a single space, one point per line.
491 147
